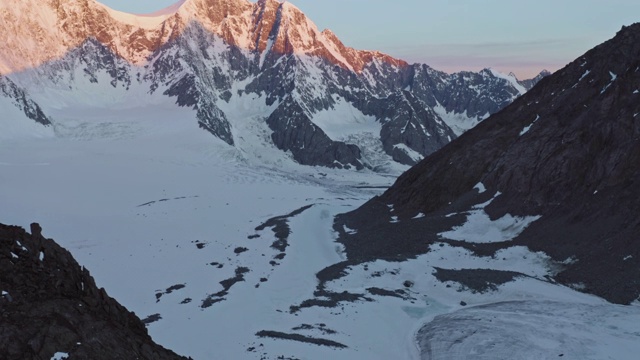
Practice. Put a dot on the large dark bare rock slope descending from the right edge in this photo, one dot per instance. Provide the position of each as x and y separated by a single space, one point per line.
568 151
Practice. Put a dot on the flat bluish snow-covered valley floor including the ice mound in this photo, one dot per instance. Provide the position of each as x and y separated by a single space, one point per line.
219 245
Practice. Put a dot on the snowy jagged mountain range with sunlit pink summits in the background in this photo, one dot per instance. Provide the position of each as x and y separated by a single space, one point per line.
252 73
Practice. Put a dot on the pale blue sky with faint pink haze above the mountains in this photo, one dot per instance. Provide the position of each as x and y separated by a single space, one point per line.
451 35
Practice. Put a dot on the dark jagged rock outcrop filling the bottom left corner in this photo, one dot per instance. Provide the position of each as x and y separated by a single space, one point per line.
49 305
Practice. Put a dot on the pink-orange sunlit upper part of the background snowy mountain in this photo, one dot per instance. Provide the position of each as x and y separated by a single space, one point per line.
267 26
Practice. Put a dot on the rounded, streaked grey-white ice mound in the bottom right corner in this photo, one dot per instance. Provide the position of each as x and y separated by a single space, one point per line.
533 330
